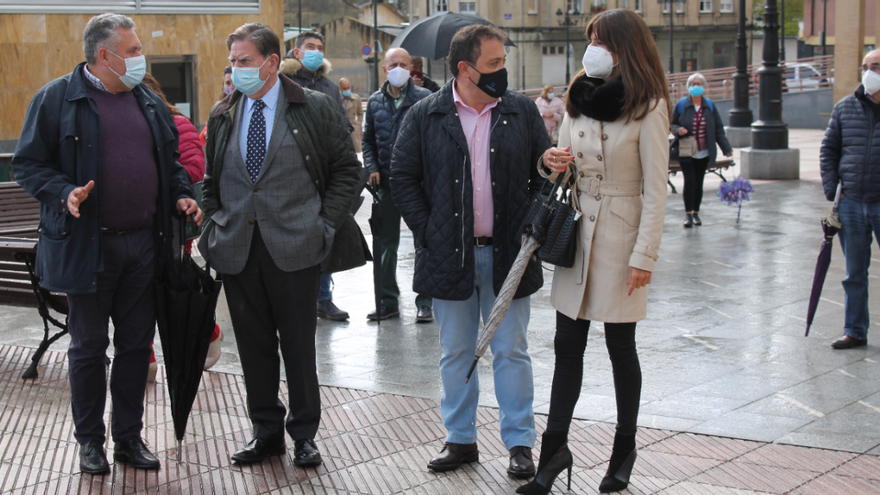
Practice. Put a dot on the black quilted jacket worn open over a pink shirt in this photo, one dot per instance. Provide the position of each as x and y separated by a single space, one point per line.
431 185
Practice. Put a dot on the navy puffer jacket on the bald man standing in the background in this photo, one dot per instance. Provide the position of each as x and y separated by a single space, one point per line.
382 125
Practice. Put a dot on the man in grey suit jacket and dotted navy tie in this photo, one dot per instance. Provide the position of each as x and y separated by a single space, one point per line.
281 175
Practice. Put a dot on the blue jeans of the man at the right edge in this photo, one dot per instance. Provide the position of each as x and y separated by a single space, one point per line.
859 221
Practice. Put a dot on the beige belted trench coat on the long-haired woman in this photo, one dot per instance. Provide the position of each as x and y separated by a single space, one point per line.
622 171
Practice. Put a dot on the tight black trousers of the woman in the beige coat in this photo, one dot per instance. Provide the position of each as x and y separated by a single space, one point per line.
570 344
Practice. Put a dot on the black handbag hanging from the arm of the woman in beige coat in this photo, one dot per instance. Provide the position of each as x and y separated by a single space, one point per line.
561 231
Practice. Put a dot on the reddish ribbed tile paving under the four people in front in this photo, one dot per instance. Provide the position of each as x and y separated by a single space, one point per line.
374 443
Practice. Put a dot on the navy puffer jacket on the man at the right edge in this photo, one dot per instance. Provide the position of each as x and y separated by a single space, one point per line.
850 152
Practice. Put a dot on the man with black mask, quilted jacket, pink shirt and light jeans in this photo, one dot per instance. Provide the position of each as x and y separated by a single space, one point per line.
463 173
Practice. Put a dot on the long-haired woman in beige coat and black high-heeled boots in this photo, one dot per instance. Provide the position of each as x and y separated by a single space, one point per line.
615 134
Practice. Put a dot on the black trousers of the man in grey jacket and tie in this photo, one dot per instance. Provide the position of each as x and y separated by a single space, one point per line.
269 306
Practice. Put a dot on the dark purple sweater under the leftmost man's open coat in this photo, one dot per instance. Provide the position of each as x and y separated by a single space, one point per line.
129 183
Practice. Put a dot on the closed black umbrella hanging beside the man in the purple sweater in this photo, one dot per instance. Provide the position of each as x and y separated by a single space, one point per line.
186 298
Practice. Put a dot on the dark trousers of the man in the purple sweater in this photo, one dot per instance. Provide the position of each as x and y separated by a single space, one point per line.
125 295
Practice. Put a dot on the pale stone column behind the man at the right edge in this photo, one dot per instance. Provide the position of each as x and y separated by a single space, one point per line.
849 46
